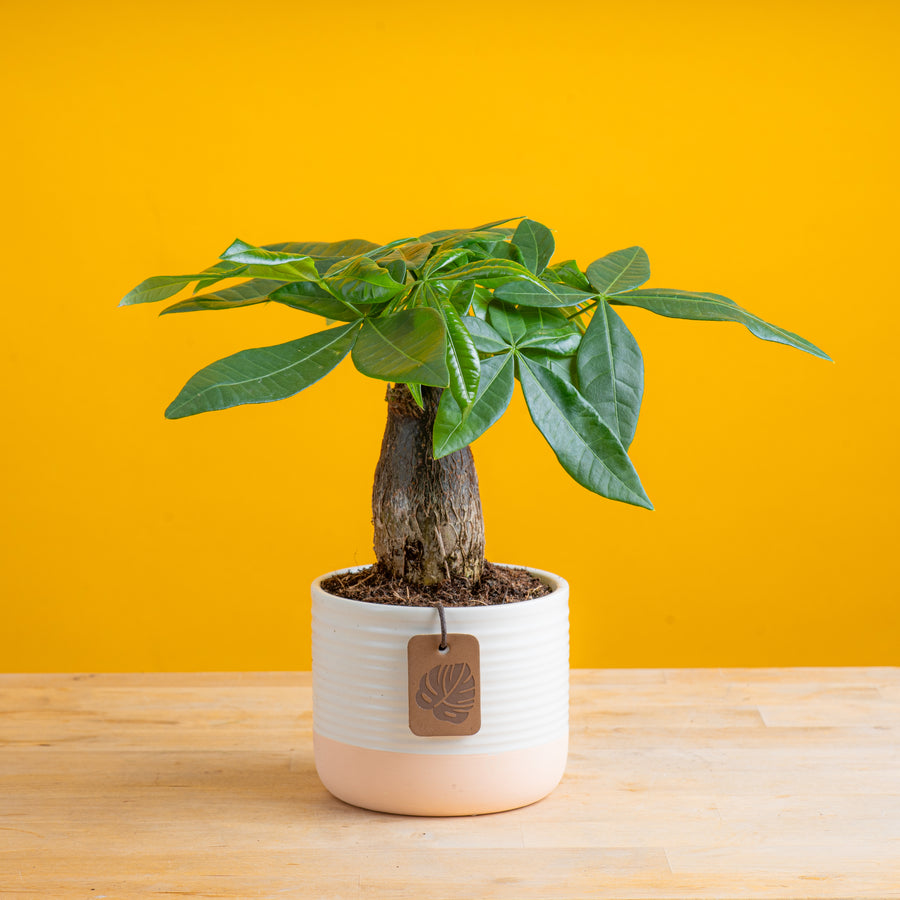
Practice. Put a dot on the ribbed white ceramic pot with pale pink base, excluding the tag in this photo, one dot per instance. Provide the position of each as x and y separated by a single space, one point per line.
366 753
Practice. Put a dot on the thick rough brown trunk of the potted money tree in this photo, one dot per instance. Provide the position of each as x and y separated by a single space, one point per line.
426 511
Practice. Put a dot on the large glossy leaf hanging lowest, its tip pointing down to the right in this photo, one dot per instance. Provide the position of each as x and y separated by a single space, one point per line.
583 443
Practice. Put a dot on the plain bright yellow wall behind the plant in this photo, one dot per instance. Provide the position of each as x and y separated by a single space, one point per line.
750 148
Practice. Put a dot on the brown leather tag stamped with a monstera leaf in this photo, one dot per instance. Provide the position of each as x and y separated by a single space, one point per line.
444 686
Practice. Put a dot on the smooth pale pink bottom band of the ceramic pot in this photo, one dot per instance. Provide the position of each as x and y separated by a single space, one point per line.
439 784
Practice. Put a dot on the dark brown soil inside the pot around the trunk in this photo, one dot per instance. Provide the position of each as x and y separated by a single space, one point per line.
498 585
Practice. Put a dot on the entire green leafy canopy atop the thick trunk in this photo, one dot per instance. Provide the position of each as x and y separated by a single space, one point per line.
472 311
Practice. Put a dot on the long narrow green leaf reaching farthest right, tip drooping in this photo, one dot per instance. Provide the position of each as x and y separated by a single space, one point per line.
713 307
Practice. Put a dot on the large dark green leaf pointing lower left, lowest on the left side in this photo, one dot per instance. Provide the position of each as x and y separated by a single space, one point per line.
263 374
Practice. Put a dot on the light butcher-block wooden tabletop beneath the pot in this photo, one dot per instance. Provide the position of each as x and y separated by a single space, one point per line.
681 784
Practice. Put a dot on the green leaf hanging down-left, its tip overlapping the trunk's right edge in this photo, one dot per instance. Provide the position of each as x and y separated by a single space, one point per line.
453 430
